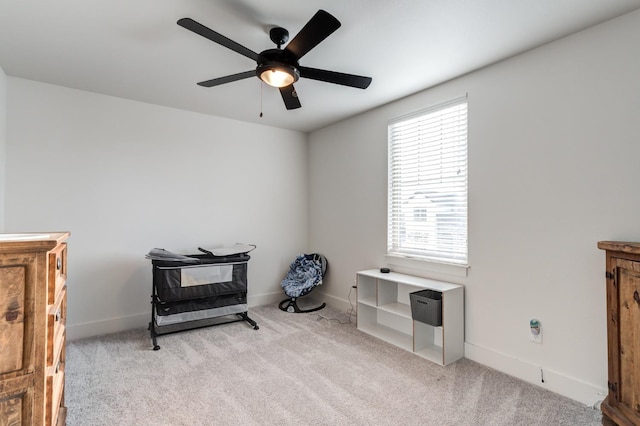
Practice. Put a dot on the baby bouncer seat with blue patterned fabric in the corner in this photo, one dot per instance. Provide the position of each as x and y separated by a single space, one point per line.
305 274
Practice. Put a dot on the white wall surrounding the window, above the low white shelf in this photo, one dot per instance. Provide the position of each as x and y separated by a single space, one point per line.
553 168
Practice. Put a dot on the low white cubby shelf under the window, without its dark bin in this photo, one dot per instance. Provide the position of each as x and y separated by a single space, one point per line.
384 311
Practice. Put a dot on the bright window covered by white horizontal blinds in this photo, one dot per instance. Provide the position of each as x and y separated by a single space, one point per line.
427 207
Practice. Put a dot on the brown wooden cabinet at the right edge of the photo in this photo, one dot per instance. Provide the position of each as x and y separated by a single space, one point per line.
622 404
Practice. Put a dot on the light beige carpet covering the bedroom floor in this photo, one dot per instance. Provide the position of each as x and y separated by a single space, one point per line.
297 369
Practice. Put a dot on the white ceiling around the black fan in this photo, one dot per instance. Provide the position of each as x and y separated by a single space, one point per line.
135 49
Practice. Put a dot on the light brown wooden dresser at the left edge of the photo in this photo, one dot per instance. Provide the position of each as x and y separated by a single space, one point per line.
33 295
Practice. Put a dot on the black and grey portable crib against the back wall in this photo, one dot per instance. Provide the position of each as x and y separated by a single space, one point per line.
200 291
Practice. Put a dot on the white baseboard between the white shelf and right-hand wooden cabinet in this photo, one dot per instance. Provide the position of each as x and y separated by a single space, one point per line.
585 393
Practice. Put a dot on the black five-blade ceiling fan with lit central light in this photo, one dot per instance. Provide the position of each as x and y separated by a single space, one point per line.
279 67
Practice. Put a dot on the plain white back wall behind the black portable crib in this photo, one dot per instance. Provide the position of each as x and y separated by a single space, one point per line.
124 177
